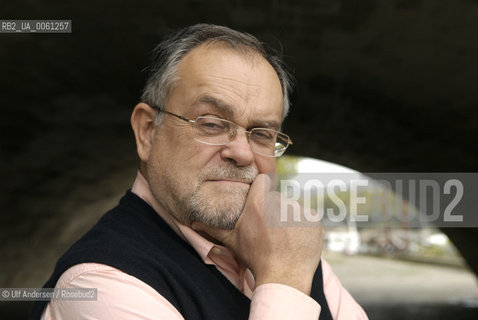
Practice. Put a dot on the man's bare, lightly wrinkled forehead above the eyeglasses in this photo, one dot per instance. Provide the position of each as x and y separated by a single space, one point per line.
241 80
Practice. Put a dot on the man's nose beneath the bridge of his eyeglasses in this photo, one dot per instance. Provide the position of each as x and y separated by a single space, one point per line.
238 150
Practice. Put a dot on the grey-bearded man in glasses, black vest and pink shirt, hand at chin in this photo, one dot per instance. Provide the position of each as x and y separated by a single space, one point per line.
190 240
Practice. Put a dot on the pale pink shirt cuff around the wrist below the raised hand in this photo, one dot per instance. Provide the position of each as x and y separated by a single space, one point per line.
280 302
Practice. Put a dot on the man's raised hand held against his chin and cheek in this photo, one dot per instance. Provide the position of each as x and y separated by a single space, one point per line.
287 254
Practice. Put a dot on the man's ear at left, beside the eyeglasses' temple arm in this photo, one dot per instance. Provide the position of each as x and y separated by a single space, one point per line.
143 123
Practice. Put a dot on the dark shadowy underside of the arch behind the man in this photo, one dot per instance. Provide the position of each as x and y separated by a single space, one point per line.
382 86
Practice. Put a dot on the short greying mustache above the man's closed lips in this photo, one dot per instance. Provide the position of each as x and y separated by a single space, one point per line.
246 174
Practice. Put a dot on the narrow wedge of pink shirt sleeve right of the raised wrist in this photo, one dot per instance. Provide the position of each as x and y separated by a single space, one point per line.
341 304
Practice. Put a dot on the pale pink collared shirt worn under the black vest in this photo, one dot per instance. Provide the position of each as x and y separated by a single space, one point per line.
121 296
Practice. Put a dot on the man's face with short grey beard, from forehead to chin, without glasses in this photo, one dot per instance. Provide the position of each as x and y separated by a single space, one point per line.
198 182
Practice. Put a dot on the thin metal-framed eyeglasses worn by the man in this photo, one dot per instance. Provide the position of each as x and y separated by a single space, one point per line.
217 132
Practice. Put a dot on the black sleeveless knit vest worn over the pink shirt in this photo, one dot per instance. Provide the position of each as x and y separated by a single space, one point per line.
134 239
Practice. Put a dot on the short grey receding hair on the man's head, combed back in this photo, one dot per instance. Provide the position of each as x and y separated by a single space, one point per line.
169 53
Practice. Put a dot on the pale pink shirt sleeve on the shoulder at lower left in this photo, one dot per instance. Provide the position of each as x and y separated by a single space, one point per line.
120 296
